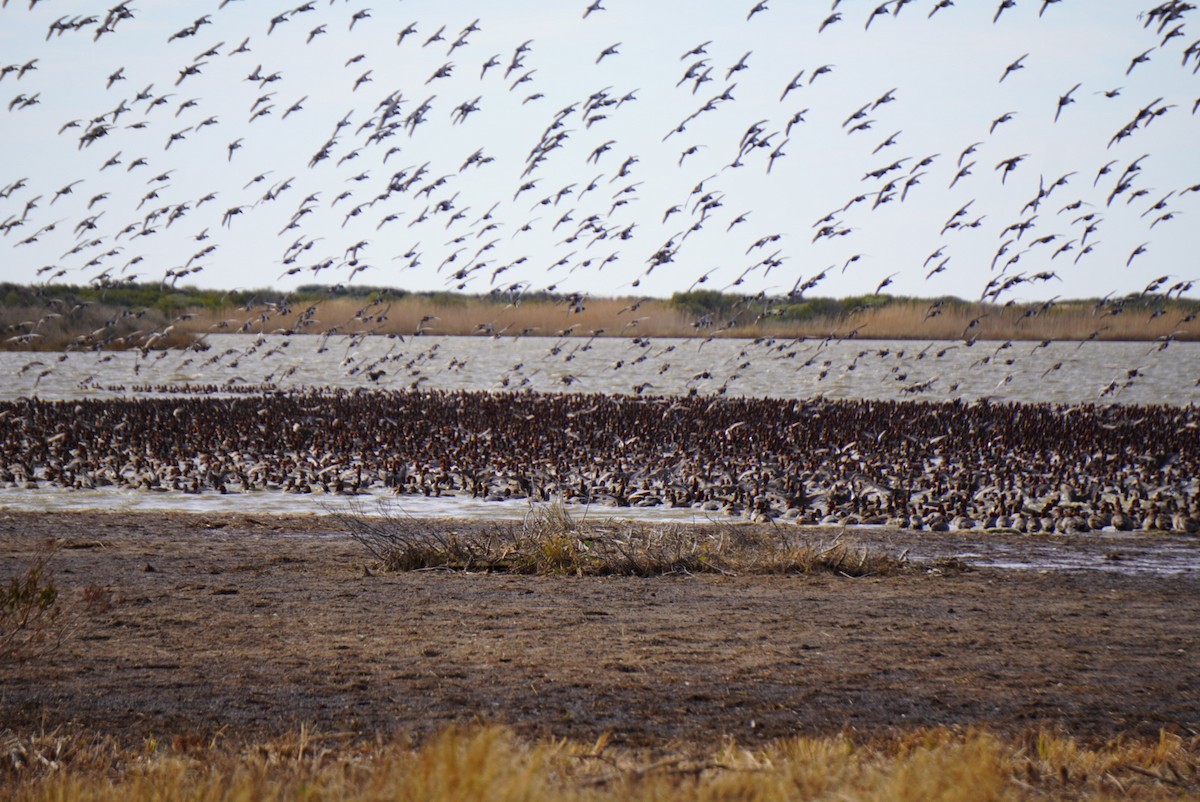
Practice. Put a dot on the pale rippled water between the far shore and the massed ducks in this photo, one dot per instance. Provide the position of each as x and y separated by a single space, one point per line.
1060 373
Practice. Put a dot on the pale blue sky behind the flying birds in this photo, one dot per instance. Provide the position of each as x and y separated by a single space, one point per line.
404 163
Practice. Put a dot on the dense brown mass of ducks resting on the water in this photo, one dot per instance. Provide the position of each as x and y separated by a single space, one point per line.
920 465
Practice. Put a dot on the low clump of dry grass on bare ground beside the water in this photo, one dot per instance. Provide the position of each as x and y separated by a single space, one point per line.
551 542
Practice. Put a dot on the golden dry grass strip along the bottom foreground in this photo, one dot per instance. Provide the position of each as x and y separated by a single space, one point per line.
489 763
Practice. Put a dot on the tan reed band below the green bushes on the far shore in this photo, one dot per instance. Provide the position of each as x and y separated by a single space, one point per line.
907 320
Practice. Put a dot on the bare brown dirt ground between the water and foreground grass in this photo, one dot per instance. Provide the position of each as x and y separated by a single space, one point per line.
260 625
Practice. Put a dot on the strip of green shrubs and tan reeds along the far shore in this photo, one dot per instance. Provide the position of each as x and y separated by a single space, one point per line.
153 316
